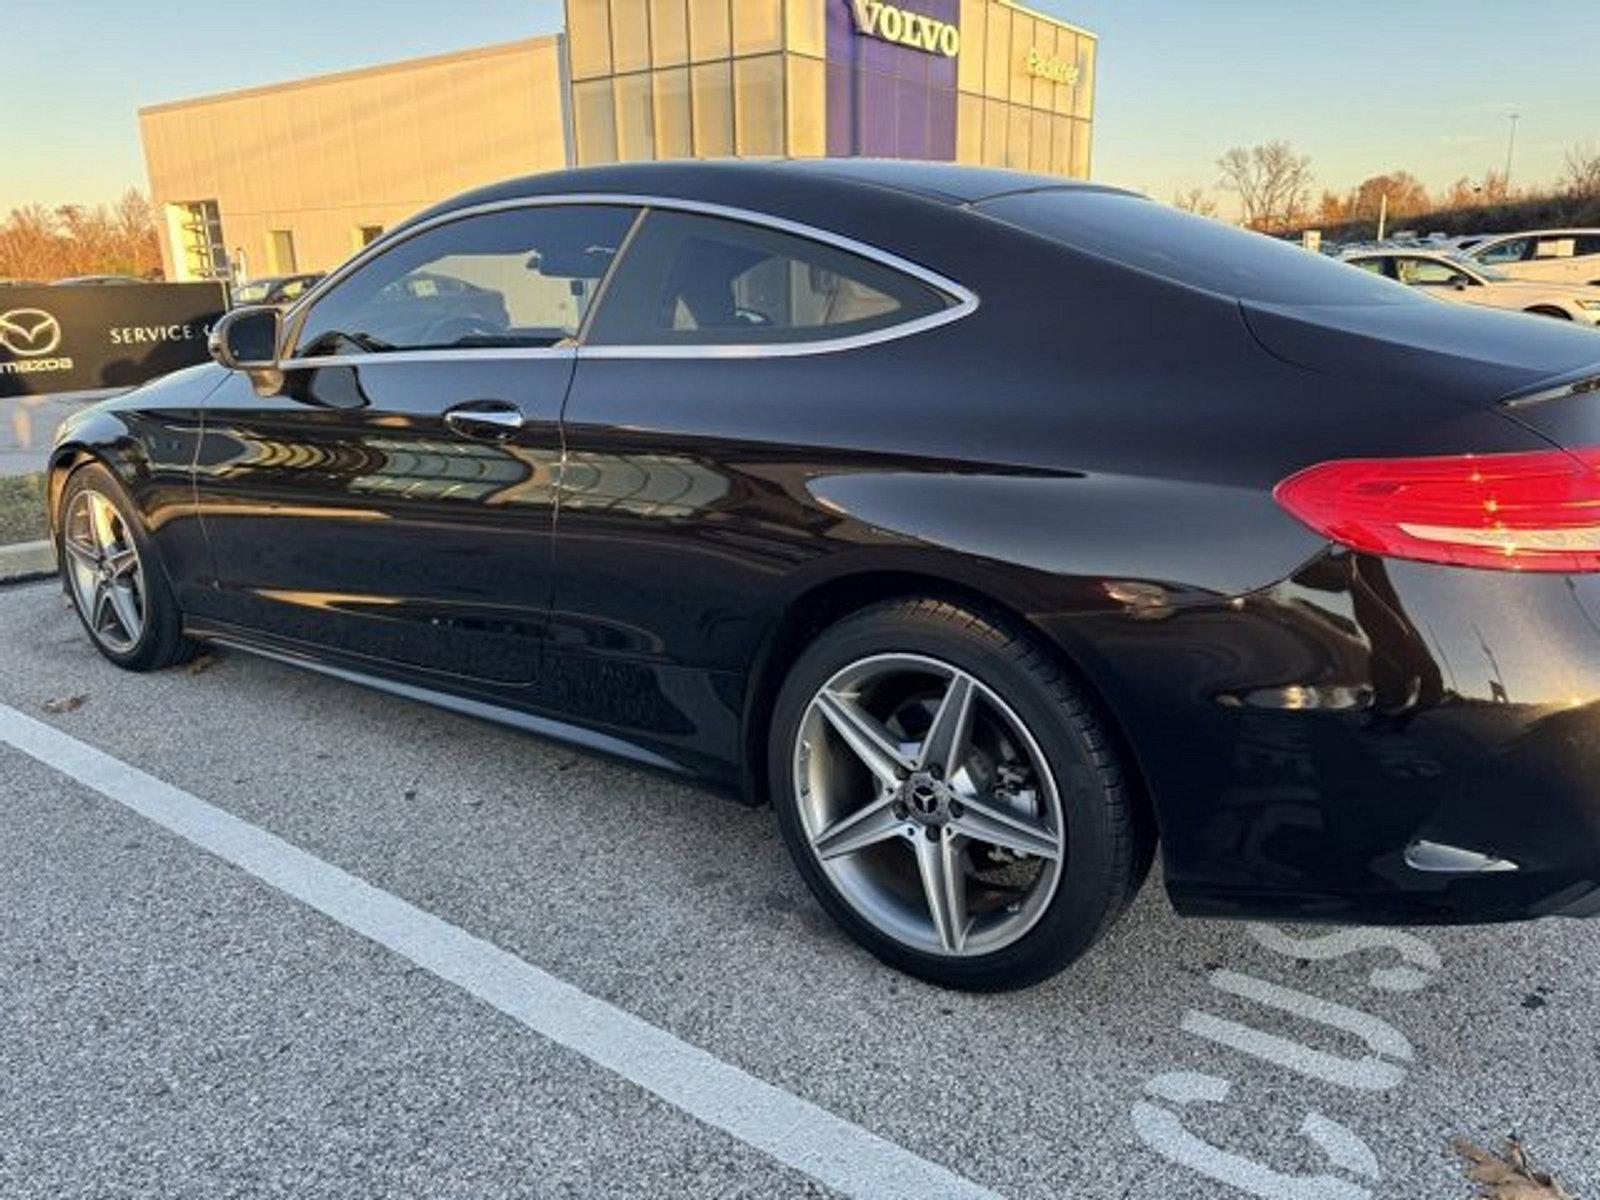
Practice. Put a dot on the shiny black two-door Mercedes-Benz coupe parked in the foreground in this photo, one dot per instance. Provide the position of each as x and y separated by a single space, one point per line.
994 529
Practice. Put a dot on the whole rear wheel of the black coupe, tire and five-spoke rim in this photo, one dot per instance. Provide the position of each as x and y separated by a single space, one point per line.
951 799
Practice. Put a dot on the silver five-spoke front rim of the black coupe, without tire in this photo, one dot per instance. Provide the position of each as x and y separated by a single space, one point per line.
105 569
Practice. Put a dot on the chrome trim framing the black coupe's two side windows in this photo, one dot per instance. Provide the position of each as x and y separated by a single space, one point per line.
966 302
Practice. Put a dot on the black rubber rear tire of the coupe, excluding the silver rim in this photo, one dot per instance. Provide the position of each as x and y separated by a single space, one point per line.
1108 841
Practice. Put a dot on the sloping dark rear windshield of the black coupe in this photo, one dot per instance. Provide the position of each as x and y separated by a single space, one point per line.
1193 250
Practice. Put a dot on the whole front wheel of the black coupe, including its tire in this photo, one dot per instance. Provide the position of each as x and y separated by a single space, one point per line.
116 585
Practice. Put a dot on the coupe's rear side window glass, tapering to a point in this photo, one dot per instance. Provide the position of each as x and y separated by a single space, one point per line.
700 281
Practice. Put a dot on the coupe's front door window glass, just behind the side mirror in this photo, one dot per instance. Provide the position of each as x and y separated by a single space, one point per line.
521 278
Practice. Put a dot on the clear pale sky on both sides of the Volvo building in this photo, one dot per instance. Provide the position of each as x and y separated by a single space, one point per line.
1362 86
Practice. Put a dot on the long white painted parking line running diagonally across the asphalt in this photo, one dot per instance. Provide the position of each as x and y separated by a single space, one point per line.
794 1132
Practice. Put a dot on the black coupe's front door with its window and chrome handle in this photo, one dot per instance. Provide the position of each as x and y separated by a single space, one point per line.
393 502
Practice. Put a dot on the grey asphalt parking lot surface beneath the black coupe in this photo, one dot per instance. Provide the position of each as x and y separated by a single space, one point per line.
558 977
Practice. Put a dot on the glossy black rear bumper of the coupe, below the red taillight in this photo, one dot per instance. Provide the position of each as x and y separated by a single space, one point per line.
1370 742
